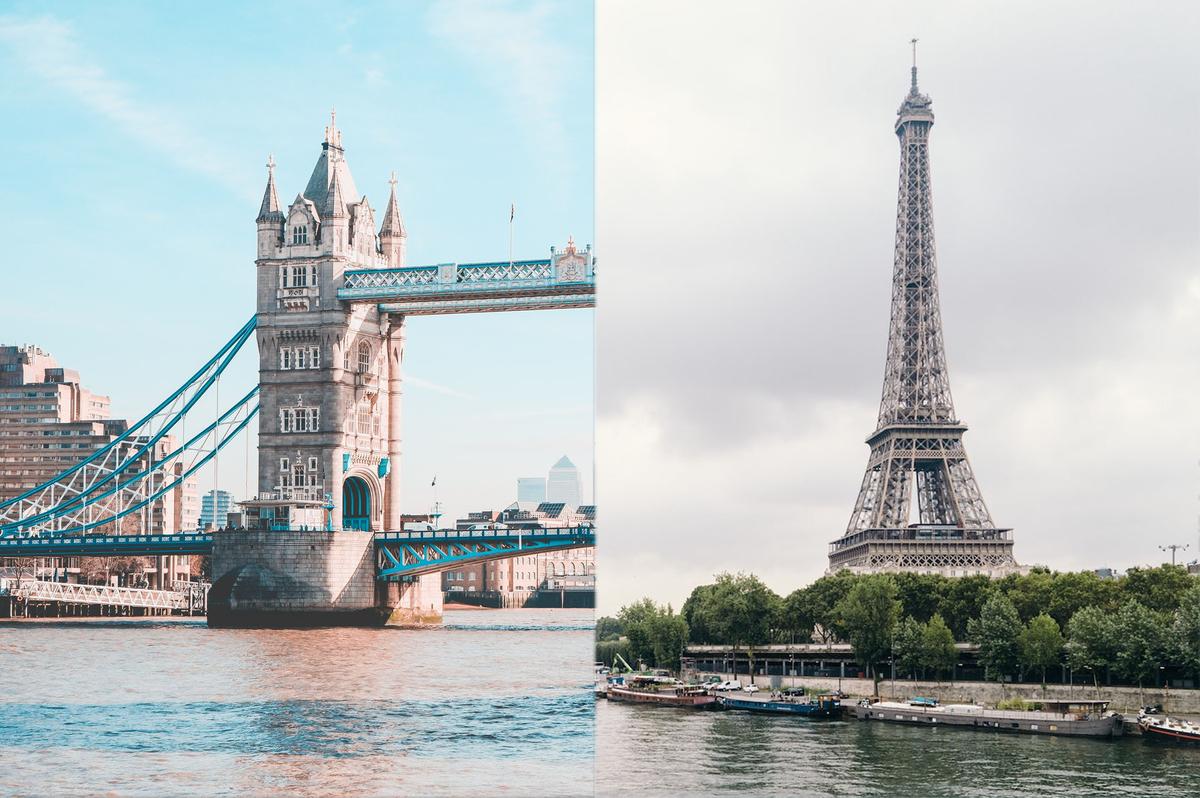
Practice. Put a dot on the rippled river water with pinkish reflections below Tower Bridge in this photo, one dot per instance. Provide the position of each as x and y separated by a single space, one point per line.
495 704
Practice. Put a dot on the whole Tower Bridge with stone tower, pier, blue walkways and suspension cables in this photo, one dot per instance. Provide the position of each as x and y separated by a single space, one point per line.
323 539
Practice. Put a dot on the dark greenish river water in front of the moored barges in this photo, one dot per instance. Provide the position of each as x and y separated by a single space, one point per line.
665 752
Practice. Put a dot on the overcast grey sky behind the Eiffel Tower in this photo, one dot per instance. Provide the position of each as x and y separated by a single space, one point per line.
747 182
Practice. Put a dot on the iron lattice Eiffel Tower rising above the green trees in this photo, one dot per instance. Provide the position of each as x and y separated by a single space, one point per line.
919 441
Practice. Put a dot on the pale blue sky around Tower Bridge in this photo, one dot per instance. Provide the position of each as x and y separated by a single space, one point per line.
136 136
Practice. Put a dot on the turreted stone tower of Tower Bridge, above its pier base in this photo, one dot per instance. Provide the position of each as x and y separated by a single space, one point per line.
329 371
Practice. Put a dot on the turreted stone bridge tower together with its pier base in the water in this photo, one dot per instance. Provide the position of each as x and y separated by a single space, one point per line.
329 442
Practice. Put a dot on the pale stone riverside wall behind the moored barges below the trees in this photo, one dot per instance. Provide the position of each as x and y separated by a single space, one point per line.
1125 700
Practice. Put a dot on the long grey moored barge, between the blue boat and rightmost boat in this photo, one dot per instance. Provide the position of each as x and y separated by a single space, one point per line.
1066 718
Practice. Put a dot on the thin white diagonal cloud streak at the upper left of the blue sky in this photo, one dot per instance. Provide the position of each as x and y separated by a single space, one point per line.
50 51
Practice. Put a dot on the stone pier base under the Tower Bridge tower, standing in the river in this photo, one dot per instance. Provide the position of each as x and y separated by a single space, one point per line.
311 579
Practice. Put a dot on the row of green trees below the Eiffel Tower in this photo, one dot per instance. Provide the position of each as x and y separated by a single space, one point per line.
1131 627
